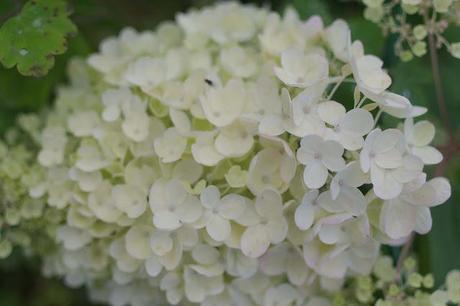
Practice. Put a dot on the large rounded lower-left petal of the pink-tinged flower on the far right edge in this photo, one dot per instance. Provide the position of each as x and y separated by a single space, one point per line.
397 219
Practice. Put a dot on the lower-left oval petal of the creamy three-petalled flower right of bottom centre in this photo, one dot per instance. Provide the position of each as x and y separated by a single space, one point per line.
255 241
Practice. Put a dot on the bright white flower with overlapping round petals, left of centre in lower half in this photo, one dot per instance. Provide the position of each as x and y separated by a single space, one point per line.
172 206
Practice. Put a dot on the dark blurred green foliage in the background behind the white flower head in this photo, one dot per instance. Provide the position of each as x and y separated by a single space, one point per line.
20 280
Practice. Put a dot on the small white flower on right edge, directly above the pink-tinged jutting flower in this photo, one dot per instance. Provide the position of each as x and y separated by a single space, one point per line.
418 137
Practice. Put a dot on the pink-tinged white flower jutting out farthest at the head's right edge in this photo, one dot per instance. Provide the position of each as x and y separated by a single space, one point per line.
410 211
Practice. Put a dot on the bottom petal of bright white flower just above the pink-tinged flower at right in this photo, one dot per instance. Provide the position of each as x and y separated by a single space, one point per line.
385 186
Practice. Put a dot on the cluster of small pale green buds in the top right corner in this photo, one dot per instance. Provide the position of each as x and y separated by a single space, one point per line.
414 21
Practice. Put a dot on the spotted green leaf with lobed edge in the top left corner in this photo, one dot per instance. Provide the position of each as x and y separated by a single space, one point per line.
32 39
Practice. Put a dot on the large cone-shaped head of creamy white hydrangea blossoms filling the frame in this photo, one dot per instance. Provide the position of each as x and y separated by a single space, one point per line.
207 162
